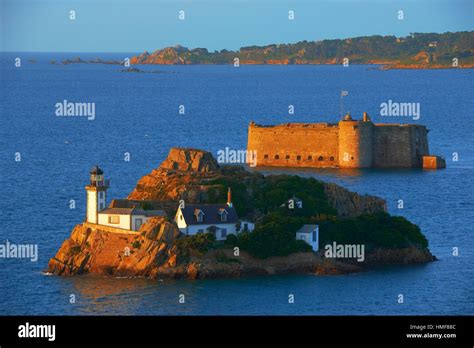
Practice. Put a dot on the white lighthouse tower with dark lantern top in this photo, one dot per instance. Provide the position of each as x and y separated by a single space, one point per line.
96 194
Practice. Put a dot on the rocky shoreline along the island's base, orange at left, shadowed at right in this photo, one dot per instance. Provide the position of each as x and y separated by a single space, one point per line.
152 254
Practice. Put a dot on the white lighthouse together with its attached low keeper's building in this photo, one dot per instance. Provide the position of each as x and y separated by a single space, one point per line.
130 218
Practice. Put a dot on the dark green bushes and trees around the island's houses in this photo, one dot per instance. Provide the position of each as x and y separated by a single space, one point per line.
274 234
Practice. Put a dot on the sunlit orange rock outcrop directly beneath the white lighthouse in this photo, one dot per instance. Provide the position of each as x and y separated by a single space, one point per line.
95 250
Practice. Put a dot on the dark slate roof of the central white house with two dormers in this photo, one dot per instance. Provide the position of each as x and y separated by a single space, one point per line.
212 214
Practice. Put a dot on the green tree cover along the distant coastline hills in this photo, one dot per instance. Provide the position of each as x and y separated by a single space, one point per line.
359 50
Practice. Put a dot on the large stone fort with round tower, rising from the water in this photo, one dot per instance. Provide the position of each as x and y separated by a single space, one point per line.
349 143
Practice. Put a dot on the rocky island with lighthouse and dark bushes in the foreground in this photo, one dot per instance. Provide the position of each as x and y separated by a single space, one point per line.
160 248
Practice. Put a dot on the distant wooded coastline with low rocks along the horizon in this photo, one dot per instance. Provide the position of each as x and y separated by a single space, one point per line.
416 51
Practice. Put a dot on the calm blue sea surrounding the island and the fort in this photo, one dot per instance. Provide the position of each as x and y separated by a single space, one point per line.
138 113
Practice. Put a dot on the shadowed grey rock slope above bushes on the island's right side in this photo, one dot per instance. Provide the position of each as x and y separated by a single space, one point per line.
350 204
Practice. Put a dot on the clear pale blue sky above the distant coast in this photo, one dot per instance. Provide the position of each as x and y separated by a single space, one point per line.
138 25
